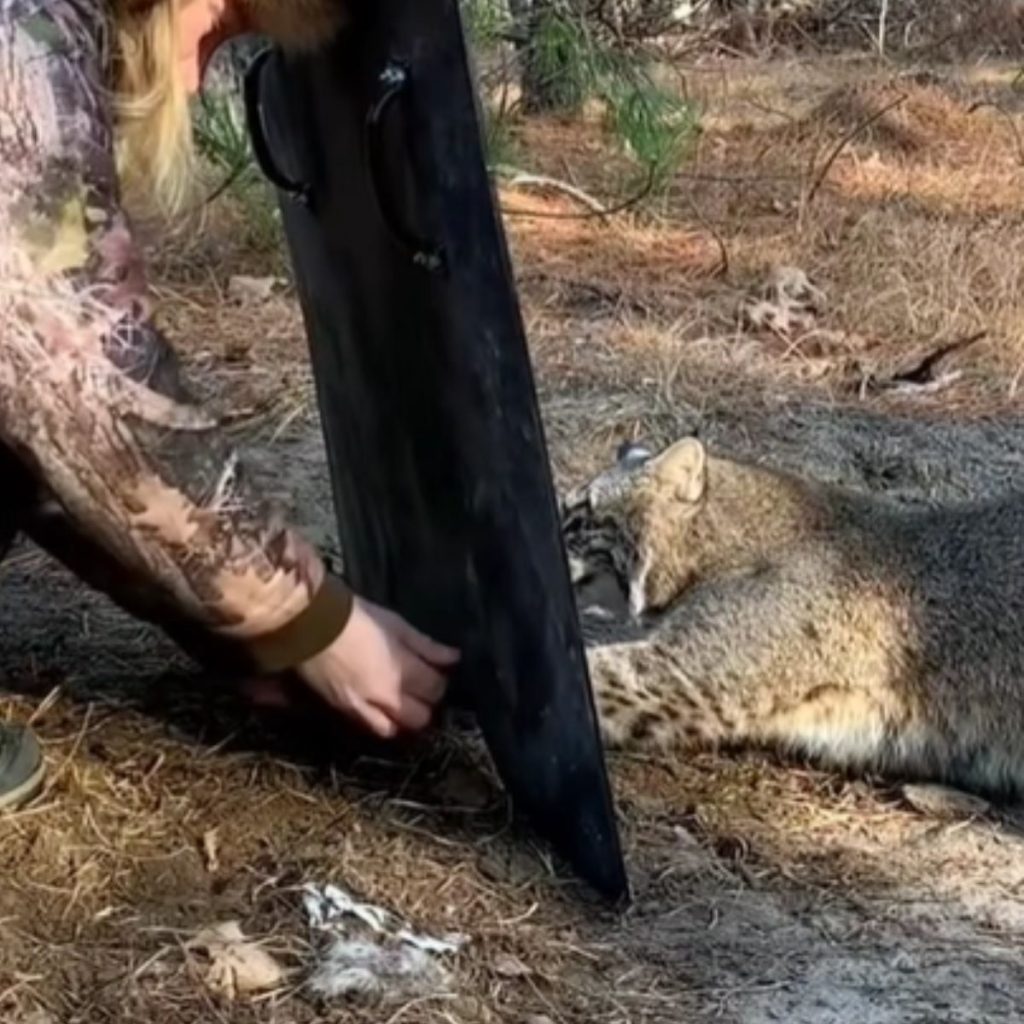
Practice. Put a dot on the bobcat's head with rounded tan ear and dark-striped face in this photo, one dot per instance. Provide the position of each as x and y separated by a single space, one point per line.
630 523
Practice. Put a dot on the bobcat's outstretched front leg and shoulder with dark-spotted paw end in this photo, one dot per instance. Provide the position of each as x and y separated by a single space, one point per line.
794 656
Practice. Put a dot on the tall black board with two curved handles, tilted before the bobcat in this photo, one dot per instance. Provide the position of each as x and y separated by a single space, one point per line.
446 506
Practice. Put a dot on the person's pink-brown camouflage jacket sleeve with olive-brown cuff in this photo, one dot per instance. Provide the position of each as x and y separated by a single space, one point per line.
91 396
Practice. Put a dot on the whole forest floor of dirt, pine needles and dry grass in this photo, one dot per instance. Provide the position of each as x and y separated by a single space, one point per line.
764 891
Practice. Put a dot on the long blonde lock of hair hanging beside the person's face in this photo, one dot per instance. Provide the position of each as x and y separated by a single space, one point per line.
156 154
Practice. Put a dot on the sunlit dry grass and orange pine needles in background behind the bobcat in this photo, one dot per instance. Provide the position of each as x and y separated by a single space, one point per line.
900 199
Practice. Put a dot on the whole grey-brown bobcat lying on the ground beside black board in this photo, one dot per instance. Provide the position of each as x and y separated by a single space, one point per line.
781 612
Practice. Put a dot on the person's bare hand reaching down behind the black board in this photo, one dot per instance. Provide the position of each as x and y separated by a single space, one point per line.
381 672
